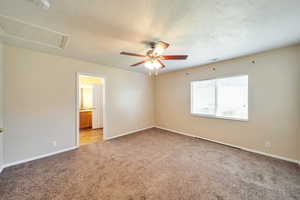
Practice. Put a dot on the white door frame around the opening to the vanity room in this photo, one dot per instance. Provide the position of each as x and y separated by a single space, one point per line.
77 107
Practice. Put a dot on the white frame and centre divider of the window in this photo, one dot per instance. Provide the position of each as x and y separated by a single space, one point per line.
216 97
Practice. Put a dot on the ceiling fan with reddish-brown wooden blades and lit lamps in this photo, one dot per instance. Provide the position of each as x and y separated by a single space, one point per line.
153 58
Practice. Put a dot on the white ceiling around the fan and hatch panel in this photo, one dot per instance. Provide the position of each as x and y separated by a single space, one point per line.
203 29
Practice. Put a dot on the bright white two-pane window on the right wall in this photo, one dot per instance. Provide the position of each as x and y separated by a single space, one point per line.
221 98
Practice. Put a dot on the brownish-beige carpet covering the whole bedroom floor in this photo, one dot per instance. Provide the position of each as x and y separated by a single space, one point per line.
156 165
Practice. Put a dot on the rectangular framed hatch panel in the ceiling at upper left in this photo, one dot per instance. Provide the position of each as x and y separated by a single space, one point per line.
18 30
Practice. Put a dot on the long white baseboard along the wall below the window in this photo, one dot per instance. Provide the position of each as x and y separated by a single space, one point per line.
234 146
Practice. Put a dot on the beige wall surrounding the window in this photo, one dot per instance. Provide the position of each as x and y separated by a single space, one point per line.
274 102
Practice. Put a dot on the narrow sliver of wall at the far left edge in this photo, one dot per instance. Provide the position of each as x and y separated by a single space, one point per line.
1 103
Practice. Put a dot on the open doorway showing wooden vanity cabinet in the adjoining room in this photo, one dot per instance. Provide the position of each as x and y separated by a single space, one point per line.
90 108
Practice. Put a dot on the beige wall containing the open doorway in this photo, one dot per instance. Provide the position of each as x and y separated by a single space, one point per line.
40 102
